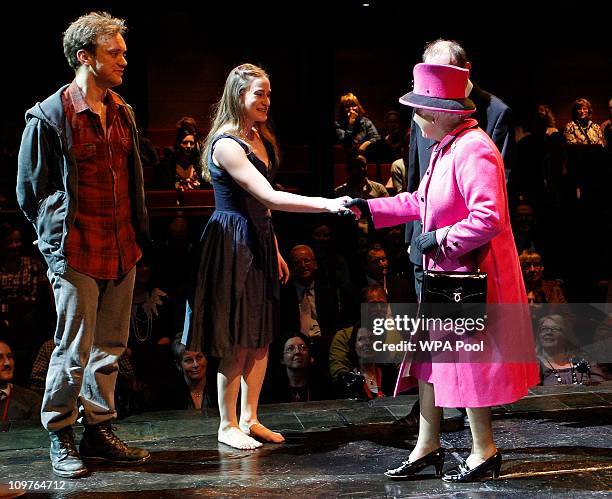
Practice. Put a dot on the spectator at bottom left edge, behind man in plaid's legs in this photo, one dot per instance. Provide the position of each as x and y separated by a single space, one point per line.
16 402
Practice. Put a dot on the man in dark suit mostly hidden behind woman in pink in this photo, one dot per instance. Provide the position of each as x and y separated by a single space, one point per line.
493 116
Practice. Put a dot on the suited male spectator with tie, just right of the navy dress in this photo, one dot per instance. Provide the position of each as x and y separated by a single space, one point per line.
309 304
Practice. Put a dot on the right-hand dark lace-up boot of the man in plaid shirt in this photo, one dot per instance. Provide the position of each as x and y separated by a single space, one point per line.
100 442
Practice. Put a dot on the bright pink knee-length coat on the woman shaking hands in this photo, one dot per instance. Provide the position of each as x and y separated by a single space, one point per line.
465 187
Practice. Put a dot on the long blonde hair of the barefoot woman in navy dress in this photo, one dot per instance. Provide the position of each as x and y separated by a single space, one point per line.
230 111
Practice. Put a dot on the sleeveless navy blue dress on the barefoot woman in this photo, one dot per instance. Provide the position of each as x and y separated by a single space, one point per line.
235 298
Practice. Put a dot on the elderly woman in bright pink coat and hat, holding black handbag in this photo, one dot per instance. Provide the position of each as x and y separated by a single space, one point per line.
462 203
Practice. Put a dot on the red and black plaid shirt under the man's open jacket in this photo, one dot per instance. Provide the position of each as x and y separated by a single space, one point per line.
102 242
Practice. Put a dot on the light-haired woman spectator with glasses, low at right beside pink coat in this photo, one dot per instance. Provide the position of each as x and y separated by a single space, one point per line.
561 362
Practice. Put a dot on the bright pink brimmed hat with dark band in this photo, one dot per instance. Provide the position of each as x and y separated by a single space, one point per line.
439 87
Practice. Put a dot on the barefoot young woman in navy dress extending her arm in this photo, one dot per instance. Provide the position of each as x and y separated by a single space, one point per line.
233 311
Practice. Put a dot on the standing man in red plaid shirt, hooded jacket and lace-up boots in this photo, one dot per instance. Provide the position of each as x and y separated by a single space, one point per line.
80 183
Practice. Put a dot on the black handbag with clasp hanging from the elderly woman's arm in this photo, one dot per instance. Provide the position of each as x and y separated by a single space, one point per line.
453 293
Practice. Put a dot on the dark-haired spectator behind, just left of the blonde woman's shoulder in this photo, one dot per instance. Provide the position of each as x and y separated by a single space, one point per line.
180 164
